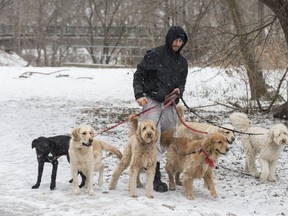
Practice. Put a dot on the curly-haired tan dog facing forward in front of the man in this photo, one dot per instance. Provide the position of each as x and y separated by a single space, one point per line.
139 153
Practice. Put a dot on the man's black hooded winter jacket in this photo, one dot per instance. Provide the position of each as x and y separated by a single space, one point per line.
162 70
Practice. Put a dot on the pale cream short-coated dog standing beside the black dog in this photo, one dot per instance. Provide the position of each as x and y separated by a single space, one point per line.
86 156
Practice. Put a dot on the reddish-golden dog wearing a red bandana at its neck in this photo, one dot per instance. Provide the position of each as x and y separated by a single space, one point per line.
195 159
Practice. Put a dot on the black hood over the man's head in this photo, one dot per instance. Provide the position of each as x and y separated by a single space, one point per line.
173 33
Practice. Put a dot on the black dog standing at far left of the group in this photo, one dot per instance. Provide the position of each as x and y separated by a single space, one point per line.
49 150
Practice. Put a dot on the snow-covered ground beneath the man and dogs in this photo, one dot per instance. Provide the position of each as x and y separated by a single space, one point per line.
48 105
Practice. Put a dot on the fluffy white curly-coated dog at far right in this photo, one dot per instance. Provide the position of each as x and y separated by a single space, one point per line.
267 144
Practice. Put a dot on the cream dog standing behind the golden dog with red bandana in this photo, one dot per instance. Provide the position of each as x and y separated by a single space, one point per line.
183 131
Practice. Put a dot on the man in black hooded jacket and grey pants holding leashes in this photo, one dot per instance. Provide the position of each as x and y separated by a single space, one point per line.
162 70
